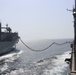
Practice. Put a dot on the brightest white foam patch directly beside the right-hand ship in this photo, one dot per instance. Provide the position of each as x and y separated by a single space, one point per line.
59 65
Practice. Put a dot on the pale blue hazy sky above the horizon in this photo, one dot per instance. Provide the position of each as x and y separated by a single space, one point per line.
38 19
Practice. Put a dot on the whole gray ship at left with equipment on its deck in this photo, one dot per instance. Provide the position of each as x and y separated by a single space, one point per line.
8 40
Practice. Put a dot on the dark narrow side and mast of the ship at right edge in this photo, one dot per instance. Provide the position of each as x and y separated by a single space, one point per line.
73 54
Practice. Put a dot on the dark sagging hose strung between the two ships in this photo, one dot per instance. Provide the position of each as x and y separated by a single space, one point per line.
35 50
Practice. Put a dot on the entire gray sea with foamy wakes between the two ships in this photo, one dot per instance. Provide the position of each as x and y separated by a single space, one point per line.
23 61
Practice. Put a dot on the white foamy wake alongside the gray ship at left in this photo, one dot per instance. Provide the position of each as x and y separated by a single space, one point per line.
7 60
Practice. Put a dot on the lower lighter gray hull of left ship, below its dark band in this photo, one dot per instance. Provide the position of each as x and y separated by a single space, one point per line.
6 47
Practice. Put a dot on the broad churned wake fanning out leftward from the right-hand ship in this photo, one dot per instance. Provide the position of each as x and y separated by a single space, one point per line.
48 66
